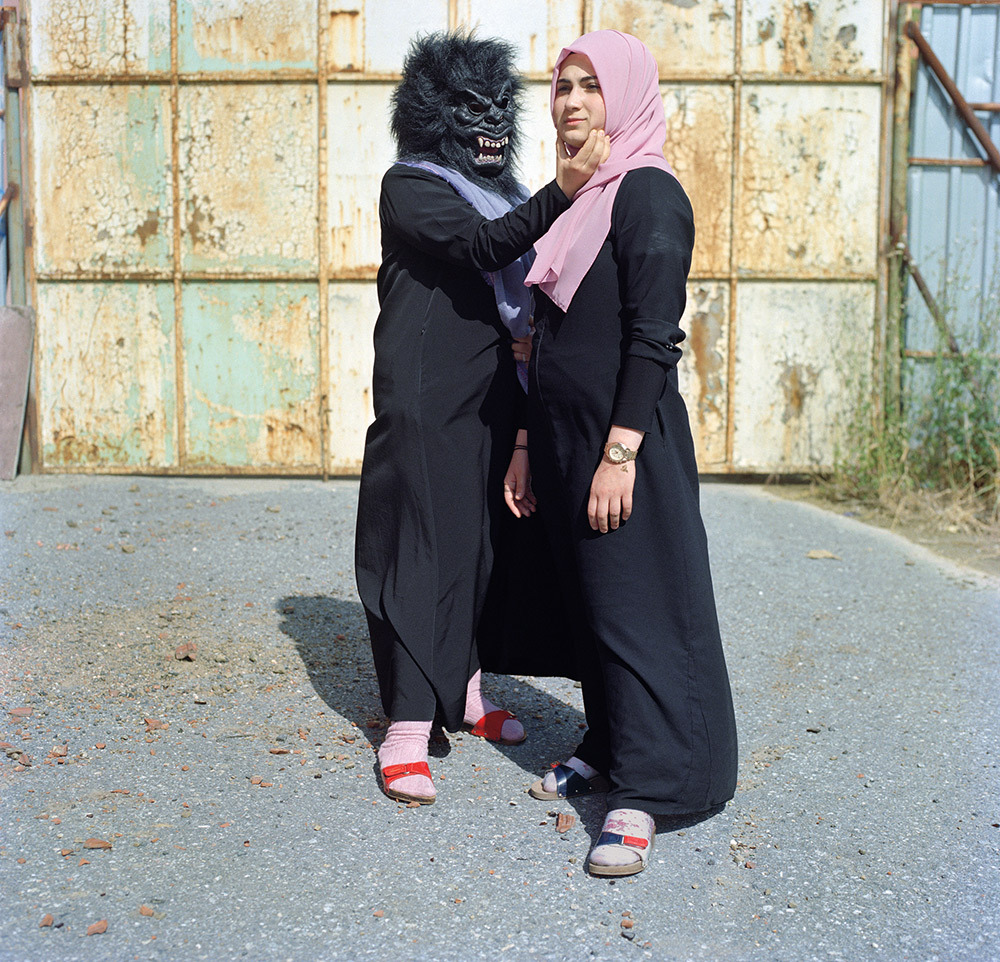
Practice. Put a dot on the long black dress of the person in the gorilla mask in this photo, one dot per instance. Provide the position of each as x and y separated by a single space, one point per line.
446 401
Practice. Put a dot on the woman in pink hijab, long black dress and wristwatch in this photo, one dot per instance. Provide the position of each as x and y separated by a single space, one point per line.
612 466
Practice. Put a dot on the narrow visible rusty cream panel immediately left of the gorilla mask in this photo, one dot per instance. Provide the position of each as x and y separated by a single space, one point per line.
361 149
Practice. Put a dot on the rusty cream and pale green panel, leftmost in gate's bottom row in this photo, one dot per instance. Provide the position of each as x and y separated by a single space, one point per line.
106 376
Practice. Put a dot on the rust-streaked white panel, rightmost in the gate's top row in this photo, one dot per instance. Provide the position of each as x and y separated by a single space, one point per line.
835 38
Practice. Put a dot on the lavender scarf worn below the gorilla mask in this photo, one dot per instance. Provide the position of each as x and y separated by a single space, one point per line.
513 298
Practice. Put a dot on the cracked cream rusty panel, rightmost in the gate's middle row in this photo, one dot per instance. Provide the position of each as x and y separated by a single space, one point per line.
809 180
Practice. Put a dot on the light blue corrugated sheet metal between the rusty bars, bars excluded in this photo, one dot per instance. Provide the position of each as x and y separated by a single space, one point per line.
954 211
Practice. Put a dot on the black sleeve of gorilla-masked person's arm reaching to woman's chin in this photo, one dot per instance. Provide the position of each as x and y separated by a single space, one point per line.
421 210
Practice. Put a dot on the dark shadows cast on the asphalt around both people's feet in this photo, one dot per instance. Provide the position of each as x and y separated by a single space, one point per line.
332 639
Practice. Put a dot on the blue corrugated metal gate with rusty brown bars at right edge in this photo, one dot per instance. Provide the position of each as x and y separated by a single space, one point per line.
950 242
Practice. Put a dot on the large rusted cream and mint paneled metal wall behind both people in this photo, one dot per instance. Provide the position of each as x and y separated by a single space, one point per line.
205 189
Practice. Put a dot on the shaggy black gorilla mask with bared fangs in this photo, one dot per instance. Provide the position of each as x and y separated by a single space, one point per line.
457 106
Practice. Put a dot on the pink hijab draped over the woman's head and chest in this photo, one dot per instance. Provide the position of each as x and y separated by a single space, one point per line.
629 81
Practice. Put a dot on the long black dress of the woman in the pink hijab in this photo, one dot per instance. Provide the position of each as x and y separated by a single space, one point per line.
657 696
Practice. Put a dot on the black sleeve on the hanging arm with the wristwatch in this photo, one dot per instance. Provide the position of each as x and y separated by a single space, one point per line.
652 232
